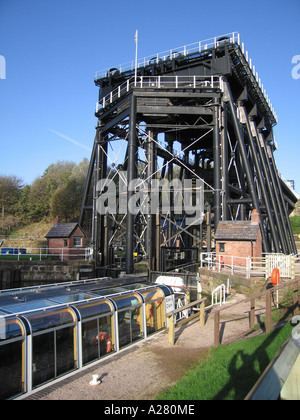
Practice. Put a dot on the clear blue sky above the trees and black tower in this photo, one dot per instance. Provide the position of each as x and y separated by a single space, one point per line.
53 48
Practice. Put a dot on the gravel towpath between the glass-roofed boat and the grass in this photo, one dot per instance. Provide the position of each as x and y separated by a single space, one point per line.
147 368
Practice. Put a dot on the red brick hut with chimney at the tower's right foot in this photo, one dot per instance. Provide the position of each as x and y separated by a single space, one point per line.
238 239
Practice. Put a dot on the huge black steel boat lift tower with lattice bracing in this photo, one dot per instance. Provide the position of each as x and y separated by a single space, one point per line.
199 113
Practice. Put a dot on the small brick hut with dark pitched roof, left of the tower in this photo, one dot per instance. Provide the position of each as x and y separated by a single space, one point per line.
66 239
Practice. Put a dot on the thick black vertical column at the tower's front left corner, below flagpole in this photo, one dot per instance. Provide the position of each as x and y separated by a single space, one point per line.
131 175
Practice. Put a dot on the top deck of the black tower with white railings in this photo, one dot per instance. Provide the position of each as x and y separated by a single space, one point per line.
188 55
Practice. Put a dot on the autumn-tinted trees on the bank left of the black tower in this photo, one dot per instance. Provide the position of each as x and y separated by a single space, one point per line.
57 192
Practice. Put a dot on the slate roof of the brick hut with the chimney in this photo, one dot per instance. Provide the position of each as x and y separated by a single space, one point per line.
237 231
